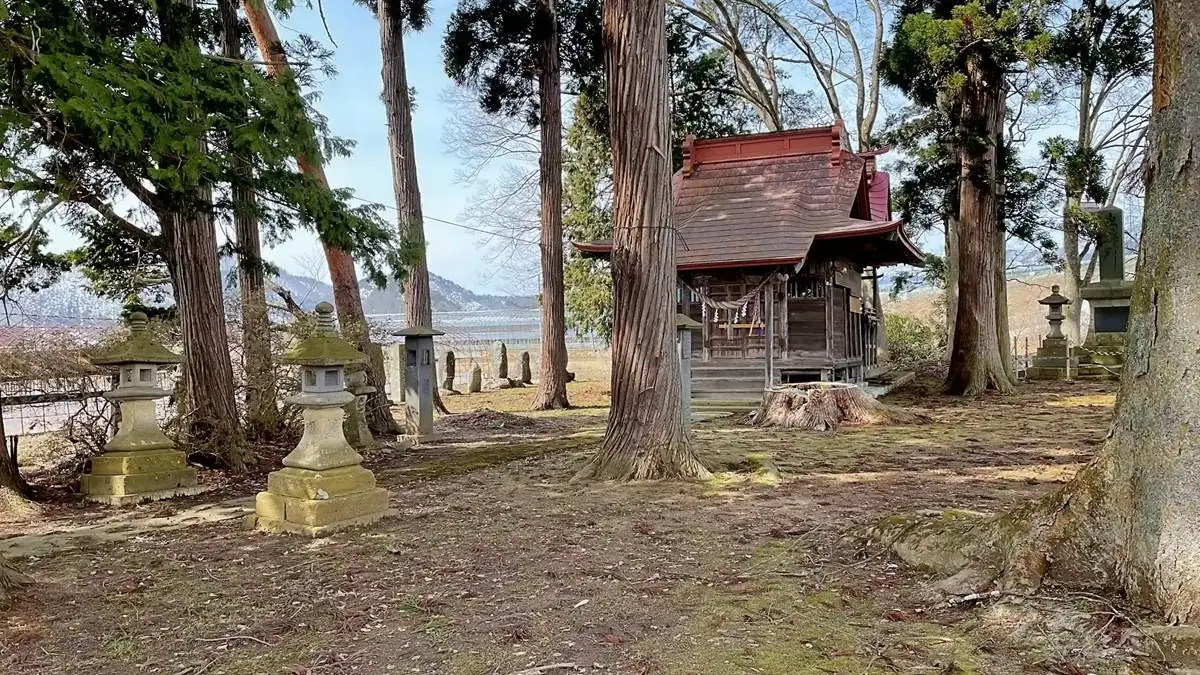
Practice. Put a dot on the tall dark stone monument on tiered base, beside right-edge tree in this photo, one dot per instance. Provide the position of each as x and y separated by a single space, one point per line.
1102 355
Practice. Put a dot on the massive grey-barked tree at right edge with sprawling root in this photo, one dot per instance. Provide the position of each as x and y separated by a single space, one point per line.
1130 519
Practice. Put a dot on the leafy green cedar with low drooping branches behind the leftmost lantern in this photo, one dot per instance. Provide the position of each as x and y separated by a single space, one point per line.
113 100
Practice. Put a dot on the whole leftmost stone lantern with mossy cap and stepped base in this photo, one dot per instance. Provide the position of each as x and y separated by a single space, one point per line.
140 463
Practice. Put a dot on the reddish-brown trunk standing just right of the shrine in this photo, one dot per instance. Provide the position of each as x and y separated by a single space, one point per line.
976 362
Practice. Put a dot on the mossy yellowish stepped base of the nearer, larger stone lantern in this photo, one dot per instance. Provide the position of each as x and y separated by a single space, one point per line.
316 504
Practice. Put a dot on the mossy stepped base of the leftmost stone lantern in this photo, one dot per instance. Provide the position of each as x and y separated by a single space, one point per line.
123 479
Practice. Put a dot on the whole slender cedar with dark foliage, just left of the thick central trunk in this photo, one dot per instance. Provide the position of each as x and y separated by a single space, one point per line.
509 51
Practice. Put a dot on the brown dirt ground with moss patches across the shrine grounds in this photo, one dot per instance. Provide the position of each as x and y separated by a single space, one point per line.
496 564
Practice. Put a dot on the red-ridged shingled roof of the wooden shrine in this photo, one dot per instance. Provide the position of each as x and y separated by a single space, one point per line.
765 200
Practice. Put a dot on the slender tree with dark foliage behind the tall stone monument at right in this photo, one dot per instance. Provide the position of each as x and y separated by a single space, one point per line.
1101 47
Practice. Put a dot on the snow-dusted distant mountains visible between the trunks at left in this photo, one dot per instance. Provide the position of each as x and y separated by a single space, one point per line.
70 302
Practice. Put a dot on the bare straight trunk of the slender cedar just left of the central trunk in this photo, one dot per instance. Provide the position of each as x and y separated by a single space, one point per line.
553 372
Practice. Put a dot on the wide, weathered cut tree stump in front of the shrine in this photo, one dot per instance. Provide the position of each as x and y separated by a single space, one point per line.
825 407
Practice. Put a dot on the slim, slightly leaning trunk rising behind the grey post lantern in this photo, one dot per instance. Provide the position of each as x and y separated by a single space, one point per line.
399 109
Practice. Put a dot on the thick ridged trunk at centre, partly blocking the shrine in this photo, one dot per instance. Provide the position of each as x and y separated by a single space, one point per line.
646 437
